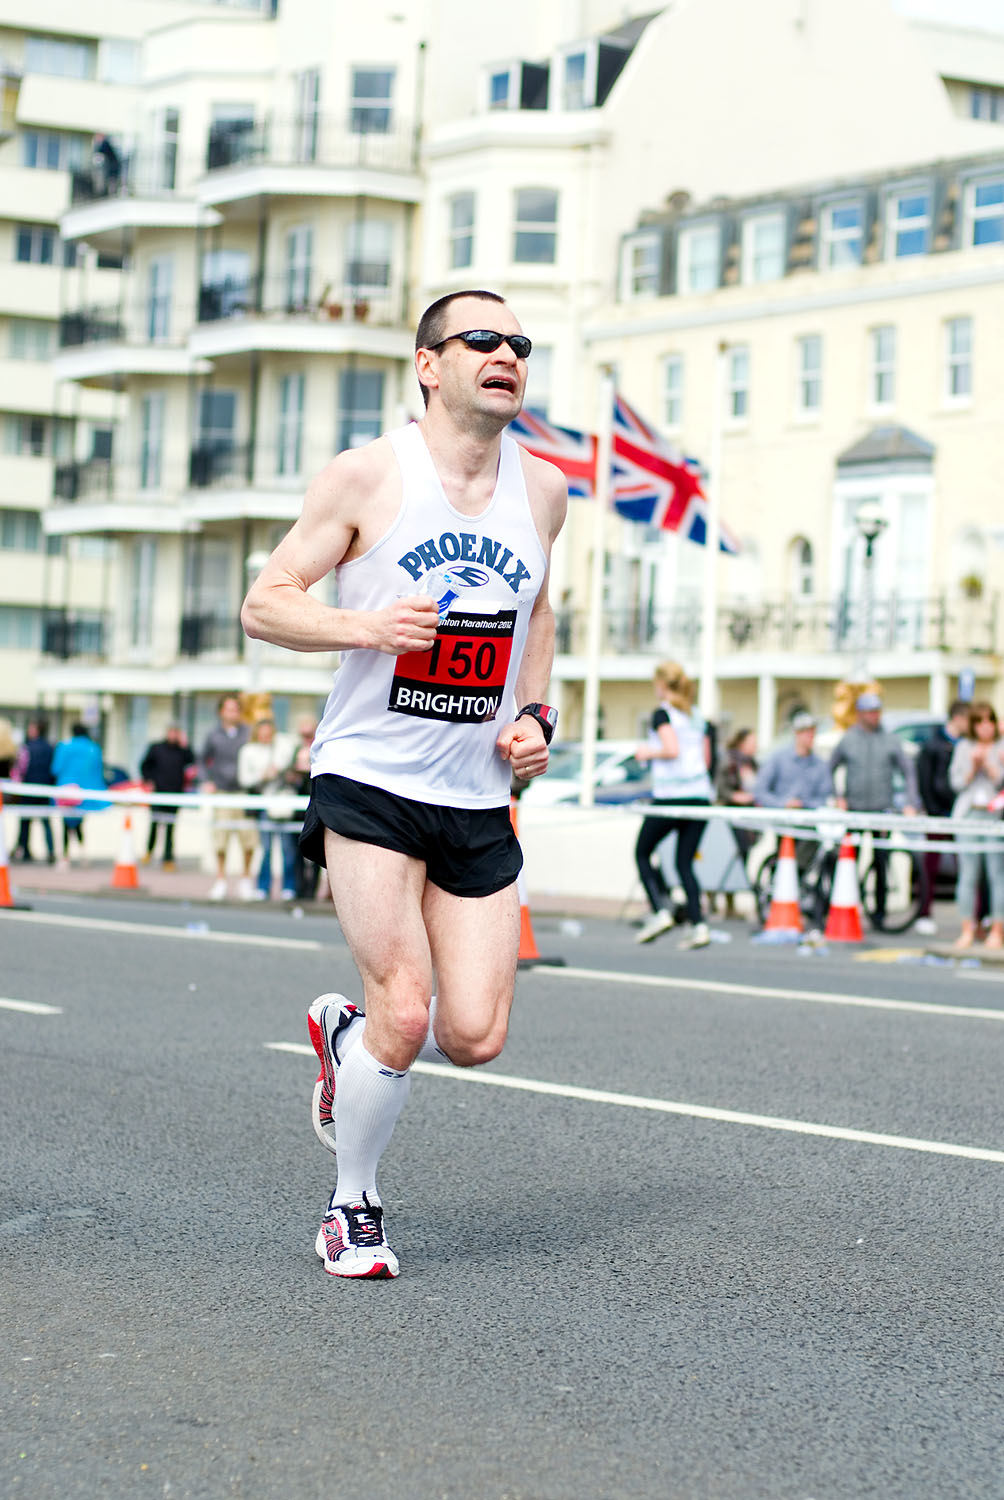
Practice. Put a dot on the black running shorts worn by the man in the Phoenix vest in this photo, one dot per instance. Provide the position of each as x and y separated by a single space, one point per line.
466 851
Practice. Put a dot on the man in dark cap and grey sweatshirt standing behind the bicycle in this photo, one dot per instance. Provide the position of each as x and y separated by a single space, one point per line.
873 758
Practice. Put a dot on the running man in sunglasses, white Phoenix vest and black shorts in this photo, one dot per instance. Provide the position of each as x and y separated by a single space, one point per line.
440 535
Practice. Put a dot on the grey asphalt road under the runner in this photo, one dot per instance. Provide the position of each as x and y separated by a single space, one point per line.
600 1297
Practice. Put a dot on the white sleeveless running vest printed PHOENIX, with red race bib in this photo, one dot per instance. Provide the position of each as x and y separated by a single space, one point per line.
424 725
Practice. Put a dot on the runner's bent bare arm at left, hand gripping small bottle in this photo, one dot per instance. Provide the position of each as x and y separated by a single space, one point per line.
278 607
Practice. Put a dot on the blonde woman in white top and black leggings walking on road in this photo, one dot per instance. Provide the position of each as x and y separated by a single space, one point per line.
679 752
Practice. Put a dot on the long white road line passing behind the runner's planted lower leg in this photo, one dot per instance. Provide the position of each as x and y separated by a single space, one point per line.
699 1112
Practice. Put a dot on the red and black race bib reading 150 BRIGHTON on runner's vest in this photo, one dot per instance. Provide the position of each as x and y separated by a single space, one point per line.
461 680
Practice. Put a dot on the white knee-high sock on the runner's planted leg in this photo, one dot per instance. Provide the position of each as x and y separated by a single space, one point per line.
368 1102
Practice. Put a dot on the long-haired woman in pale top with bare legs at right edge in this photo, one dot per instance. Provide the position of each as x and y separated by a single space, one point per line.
976 775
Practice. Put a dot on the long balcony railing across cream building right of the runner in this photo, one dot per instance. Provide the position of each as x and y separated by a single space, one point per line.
796 628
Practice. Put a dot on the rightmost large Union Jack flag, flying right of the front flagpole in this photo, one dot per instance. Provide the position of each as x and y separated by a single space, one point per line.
655 485
